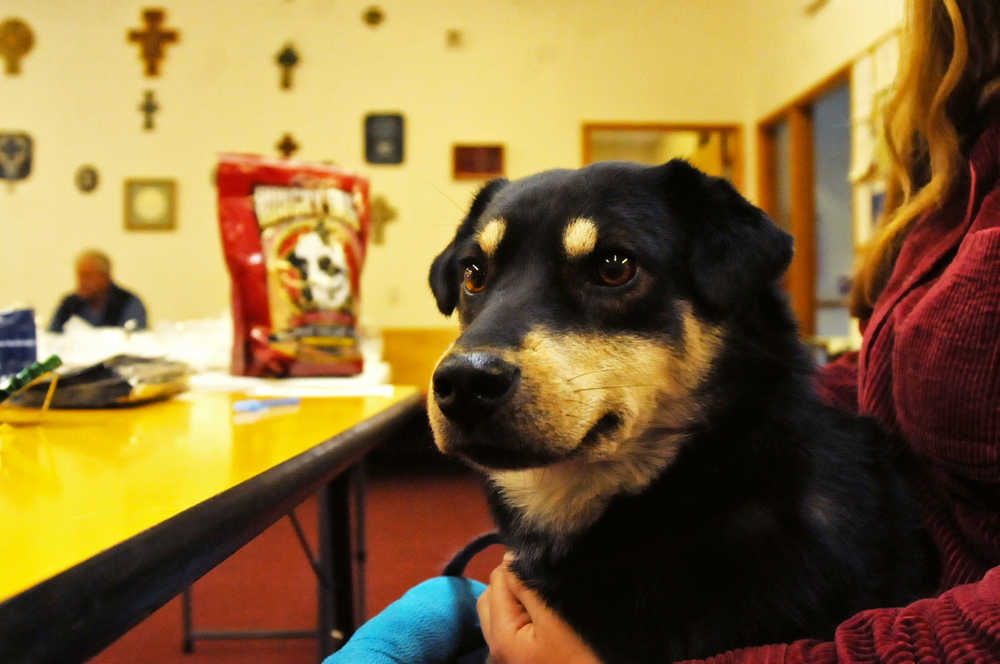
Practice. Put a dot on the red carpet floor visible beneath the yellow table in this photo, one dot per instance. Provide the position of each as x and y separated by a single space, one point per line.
414 523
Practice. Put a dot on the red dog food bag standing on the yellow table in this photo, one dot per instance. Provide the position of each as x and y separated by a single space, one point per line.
294 236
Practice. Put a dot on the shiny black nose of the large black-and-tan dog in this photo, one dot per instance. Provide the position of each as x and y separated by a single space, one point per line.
468 387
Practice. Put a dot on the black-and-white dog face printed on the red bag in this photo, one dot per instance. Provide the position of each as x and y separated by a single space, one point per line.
324 271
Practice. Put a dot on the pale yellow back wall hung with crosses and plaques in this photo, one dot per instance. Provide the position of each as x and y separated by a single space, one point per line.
529 73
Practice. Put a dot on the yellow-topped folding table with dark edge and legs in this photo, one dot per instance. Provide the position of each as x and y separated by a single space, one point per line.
105 515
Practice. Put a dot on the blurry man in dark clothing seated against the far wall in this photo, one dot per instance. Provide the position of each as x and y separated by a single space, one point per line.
98 300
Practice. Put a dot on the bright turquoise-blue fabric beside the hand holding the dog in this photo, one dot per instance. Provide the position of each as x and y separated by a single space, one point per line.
435 622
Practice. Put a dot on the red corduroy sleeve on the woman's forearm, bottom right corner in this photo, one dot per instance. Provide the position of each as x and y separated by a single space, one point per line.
961 625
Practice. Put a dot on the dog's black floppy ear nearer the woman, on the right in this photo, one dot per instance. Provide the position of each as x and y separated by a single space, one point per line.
735 249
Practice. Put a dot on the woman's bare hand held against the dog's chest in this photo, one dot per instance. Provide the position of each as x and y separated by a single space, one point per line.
520 629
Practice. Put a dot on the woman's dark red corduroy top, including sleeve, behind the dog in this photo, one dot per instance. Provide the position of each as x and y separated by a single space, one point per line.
929 371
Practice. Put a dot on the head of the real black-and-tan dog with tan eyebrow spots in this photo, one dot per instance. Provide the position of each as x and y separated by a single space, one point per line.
593 305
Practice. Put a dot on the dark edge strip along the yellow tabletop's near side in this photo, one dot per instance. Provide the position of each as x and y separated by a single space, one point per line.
80 611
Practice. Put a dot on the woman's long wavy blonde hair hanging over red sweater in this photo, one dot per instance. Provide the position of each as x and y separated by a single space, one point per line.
948 79
